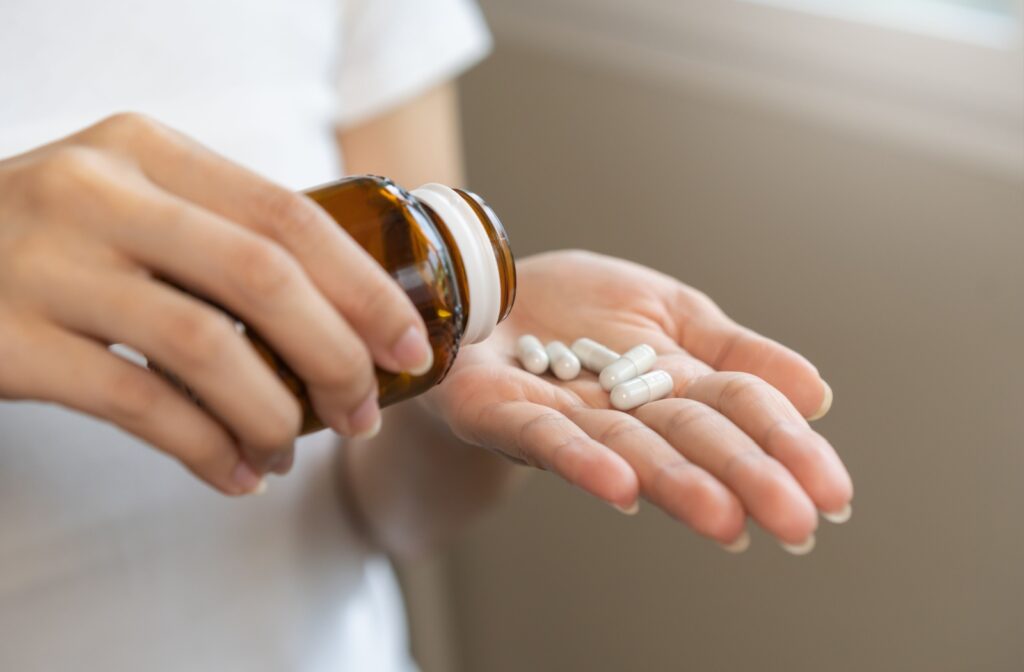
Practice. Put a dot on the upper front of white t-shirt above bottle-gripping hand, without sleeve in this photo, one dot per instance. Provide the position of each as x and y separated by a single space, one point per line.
227 72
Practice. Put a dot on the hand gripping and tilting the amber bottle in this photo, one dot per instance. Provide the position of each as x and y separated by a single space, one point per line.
89 228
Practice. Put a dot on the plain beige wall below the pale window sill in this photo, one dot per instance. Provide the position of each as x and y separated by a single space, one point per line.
900 275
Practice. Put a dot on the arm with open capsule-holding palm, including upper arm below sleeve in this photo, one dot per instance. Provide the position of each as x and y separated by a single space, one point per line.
734 442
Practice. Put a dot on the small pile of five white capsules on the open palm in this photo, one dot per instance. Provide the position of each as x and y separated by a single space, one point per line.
628 376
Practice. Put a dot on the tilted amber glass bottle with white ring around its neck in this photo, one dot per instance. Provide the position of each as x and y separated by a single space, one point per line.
444 246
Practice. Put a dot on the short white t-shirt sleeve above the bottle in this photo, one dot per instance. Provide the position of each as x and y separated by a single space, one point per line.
393 51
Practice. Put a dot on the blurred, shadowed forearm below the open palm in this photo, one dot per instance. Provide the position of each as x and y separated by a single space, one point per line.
415 485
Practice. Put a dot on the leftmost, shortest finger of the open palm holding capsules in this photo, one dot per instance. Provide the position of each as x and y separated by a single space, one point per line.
544 438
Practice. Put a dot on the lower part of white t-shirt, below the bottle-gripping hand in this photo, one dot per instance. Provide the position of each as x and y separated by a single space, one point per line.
114 558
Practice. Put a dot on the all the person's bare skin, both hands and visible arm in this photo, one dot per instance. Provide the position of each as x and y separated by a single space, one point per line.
101 231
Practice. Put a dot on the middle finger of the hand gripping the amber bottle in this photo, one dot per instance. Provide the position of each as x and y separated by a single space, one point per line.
261 283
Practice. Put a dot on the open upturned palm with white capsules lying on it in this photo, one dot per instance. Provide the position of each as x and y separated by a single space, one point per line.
734 441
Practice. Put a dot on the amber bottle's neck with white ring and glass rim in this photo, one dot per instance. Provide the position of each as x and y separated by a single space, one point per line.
485 255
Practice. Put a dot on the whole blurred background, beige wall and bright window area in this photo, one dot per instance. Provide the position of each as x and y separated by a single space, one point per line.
847 178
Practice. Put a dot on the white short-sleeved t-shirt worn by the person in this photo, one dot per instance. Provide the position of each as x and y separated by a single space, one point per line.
112 557
